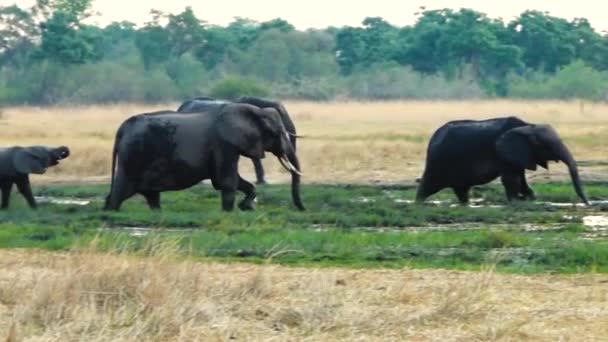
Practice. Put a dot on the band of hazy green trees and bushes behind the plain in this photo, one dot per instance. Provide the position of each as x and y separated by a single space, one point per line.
50 55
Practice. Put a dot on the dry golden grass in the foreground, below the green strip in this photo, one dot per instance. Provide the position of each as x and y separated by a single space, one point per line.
92 296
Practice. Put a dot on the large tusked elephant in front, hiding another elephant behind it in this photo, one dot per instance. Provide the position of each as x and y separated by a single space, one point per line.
170 151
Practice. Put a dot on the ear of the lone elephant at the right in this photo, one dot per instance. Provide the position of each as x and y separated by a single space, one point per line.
515 148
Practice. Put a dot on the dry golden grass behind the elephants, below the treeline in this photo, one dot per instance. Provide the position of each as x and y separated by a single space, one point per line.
346 141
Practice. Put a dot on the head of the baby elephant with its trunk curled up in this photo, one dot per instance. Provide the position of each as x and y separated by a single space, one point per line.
36 159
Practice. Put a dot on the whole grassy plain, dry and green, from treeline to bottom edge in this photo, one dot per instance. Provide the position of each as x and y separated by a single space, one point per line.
362 263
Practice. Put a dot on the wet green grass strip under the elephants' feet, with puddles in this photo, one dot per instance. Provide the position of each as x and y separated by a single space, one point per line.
353 226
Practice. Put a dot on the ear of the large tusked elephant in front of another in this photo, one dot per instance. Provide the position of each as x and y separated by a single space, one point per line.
239 126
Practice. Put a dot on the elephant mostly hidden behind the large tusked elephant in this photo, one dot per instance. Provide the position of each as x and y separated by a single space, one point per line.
207 103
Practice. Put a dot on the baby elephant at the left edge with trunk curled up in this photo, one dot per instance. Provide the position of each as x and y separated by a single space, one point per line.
16 163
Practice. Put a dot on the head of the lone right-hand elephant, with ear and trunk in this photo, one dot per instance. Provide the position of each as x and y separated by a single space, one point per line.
528 146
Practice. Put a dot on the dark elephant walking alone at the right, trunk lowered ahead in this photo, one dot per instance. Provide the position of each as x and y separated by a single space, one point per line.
465 153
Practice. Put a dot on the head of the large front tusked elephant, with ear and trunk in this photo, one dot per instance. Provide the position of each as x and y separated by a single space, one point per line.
253 131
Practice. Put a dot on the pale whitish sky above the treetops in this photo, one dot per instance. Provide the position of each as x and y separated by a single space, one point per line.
322 13
